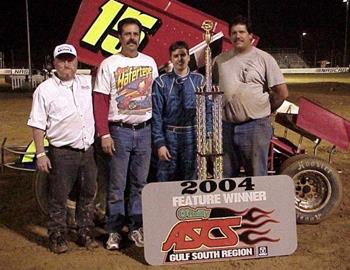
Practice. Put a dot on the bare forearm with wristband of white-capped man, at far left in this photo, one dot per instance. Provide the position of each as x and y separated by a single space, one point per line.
43 163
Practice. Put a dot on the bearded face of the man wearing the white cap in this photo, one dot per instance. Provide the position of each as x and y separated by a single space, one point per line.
66 66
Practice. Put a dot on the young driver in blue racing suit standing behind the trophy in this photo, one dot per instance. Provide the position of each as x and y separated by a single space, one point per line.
174 117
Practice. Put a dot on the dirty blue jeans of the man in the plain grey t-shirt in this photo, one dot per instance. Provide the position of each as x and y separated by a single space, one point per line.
246 145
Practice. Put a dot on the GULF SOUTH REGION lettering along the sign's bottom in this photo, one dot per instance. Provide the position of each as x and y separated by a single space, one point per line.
210 254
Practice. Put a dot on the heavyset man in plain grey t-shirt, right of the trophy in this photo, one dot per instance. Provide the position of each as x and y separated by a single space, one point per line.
253 87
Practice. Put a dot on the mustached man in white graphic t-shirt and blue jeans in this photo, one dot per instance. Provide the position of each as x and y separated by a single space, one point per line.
123 110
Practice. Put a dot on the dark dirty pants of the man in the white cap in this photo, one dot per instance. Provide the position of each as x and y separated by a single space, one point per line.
70 168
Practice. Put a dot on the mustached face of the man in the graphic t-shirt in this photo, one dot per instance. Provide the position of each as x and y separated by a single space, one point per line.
130 37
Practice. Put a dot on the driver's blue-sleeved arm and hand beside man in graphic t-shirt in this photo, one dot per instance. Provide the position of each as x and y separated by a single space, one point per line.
157 121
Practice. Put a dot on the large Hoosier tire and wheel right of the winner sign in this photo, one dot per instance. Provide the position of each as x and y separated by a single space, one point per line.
318 188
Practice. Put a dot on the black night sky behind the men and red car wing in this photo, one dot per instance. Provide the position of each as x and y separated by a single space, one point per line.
278 23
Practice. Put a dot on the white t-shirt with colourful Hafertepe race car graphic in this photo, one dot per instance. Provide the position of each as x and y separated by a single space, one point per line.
128 81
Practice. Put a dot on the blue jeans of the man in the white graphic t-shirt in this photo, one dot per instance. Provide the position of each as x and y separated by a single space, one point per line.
129 164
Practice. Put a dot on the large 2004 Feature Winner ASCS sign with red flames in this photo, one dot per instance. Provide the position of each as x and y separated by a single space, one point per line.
217 220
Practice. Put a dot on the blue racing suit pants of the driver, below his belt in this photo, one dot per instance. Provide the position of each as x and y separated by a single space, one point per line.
182 148
